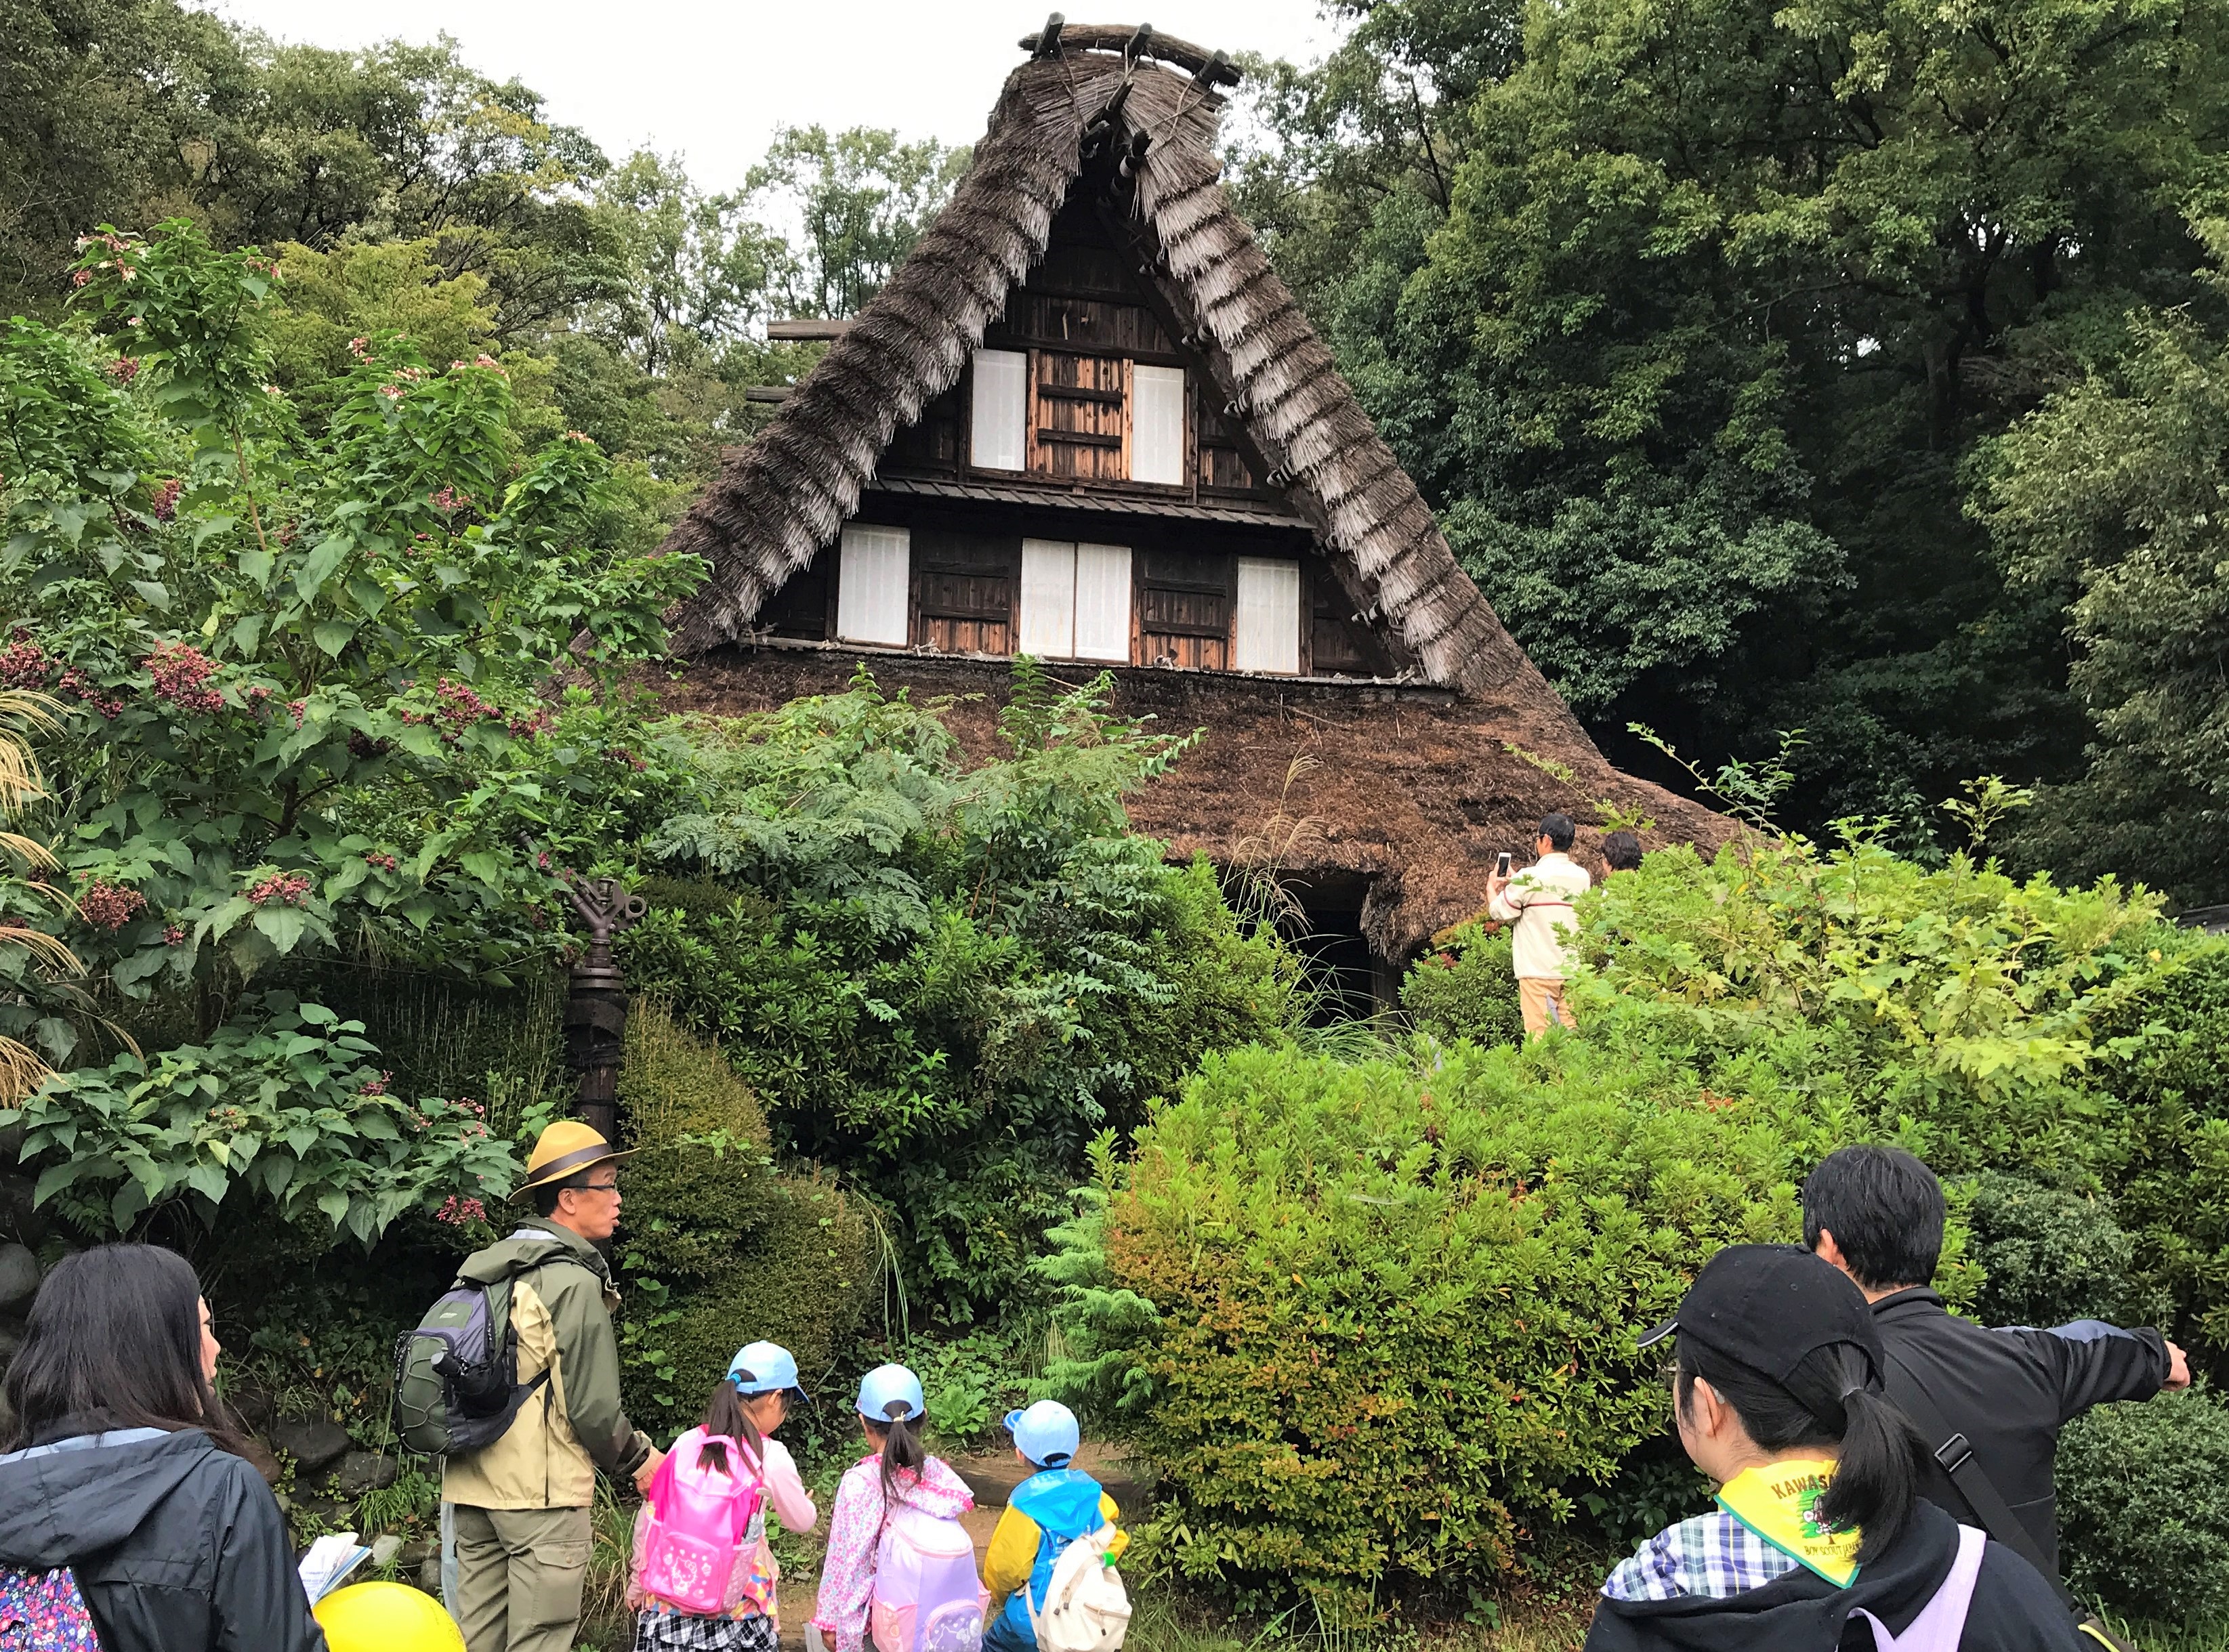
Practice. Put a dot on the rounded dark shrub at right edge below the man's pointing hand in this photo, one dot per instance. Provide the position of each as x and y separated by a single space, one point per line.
2145 1506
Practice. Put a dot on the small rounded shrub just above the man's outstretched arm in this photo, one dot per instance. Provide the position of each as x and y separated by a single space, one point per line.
2052 1256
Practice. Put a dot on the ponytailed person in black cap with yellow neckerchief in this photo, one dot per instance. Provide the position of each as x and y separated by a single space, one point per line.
1820 1526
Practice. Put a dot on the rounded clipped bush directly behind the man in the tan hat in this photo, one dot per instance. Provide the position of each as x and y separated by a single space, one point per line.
717 1247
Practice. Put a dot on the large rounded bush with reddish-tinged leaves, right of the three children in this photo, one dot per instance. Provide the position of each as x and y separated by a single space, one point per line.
1379 1314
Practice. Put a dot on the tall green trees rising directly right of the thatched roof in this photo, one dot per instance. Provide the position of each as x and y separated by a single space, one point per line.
1693 315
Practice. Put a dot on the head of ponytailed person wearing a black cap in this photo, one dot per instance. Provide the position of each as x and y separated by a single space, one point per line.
1780 1359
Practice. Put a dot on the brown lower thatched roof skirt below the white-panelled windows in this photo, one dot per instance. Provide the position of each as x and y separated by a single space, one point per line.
1399 795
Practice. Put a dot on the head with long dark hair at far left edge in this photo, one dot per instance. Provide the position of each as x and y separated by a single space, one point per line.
119 1339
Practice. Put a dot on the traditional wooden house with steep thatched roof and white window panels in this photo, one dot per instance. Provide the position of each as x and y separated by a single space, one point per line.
1089 422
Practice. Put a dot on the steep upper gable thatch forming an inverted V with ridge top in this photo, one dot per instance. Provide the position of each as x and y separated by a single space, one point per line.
786 496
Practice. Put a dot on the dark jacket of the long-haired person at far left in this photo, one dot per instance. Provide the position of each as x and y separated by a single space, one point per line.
175 1544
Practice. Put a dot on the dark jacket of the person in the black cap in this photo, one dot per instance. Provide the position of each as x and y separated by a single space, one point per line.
2014 1611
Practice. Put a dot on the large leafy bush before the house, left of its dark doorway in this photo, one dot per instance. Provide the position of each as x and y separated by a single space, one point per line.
946 980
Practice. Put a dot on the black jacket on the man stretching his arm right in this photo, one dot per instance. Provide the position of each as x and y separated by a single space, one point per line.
2009 1395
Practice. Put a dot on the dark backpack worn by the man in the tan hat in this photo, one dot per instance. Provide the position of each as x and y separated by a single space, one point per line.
458 1374
